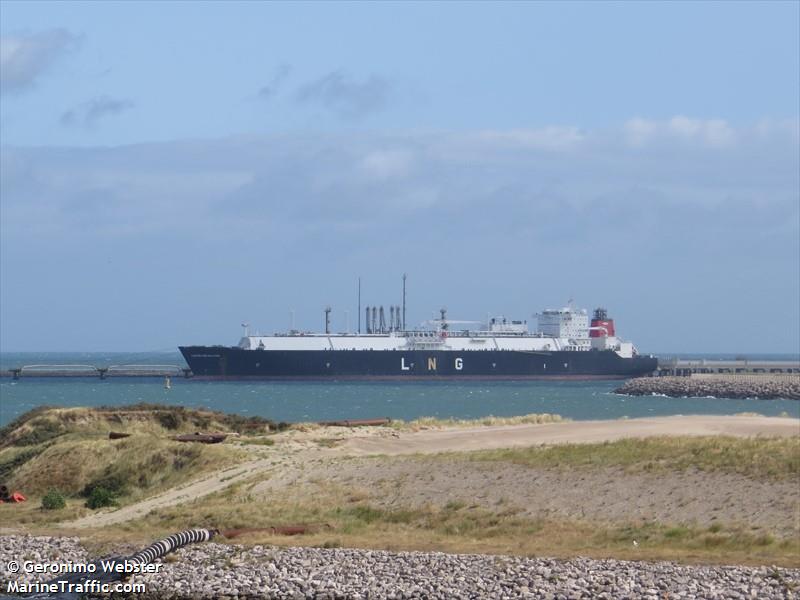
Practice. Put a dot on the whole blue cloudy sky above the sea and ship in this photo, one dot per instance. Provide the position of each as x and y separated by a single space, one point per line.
171 169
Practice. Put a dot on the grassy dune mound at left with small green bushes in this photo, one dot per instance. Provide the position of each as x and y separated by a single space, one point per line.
68 450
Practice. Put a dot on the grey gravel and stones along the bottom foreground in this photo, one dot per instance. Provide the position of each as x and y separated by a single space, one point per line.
221 571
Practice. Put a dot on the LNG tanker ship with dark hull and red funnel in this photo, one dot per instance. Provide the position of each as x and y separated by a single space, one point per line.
565 345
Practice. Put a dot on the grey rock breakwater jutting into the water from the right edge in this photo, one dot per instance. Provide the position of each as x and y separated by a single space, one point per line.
764 387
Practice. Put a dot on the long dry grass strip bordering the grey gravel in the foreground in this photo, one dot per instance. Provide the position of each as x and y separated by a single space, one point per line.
342 518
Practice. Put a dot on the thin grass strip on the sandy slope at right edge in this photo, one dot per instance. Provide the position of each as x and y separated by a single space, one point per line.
760 458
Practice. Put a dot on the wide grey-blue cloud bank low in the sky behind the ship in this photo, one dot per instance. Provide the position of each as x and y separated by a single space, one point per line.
526 217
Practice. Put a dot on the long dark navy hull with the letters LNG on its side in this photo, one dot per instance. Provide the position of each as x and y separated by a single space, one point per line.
220 362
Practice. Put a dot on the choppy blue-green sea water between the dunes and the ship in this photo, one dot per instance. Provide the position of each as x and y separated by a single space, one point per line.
312 401
